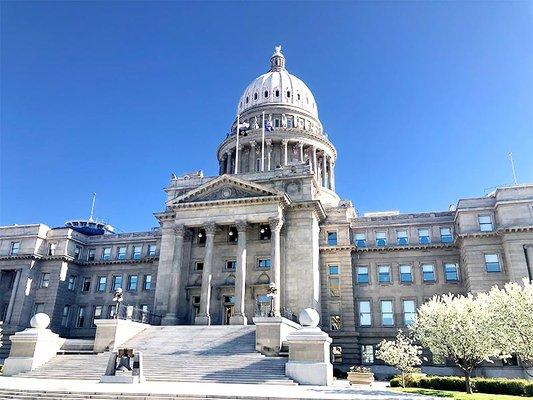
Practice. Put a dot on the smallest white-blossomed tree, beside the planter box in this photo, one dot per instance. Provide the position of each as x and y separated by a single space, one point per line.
401 353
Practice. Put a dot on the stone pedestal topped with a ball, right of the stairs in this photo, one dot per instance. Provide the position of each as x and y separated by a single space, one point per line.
309 352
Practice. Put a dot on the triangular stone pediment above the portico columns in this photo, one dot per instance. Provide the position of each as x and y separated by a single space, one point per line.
225 187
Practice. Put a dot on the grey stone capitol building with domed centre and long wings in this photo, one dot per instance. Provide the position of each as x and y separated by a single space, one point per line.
268 236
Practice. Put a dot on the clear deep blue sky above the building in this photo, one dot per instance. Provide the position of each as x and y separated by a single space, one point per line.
423 100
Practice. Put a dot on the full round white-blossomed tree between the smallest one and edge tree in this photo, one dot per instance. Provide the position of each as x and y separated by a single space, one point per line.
459 328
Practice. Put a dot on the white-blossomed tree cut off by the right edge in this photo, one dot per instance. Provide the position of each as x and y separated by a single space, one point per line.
512 308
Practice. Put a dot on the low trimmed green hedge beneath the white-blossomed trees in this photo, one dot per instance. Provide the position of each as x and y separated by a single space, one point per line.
516 387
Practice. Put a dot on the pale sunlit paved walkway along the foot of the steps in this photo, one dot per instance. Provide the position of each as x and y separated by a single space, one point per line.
340 390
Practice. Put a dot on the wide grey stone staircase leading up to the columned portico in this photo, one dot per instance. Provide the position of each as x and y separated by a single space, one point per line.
223 354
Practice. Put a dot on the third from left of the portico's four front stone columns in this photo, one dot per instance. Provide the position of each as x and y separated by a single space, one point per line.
240 283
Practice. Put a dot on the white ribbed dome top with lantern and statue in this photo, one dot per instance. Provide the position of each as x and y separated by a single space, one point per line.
278 87
